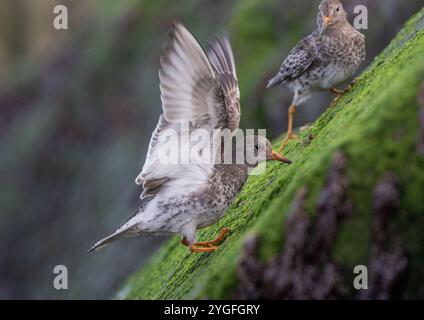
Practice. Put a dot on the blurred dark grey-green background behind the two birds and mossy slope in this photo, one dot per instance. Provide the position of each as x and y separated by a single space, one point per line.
77 108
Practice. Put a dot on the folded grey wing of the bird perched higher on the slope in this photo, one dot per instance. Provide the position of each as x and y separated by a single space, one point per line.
297 62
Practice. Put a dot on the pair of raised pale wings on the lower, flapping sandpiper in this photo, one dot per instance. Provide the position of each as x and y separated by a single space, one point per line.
197 89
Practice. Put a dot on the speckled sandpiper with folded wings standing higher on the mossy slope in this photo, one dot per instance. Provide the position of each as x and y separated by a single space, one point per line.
322 60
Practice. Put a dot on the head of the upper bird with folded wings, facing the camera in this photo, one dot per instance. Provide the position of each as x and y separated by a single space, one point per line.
330 13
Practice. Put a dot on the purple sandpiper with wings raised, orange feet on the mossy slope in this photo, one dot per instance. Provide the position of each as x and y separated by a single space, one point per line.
201 88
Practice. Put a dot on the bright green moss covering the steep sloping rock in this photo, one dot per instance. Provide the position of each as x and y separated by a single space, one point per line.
376 126
